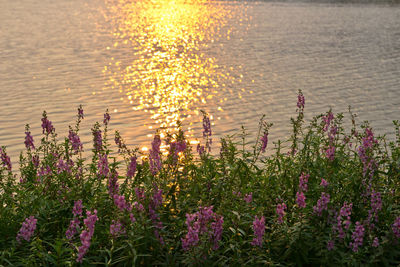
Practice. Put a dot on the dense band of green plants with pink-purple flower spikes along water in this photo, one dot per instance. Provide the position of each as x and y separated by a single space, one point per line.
324 197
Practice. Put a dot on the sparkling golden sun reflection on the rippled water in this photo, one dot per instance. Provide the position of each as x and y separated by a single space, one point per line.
169 72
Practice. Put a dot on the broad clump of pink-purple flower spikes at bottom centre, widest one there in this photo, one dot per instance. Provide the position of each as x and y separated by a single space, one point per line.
204 222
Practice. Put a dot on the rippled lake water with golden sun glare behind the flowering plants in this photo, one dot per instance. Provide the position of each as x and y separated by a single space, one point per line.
152 63
